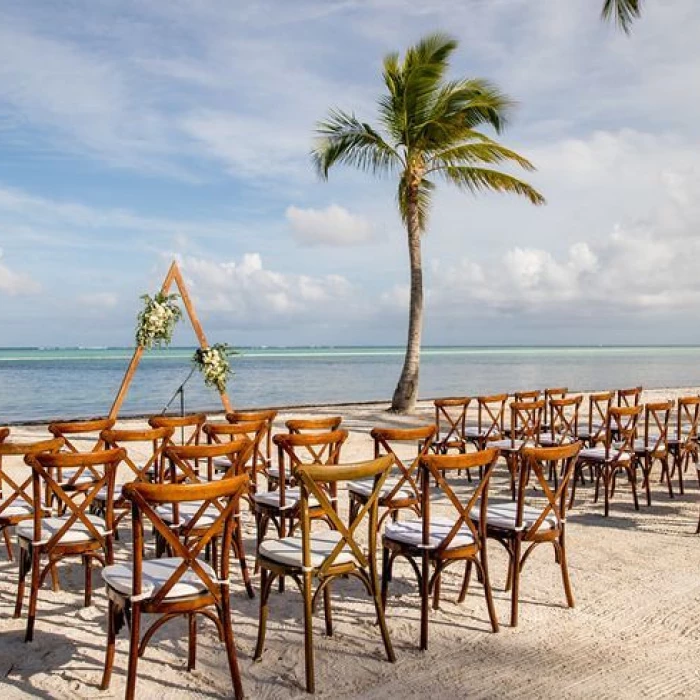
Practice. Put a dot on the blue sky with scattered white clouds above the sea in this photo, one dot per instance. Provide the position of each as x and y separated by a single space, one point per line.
134 133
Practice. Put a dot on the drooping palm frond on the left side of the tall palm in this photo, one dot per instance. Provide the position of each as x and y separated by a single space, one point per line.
344 139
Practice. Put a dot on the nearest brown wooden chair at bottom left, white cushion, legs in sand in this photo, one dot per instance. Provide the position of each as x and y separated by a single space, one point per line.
182 584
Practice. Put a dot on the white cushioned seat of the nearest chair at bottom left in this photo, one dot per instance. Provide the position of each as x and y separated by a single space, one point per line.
155 572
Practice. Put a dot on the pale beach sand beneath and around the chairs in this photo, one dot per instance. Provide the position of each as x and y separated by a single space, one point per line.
635 630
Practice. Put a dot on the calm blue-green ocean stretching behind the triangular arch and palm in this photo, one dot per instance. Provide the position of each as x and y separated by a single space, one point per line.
40 384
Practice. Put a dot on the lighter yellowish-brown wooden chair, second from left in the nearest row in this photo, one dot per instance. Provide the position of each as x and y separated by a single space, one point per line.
326 556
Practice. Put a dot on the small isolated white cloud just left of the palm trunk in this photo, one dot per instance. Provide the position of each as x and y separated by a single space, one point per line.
333 226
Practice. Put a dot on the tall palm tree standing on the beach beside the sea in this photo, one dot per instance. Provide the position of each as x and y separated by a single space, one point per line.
427 131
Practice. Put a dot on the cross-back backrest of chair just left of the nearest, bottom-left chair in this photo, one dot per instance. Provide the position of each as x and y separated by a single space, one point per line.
103 464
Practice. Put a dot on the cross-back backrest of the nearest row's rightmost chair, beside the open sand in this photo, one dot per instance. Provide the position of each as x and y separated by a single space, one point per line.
536 463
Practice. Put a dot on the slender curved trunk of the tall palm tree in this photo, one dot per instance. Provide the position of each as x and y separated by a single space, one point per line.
406 392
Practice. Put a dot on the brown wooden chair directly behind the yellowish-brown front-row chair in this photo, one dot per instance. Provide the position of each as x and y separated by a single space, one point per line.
282 506
